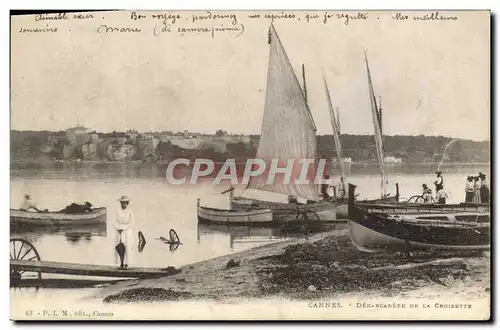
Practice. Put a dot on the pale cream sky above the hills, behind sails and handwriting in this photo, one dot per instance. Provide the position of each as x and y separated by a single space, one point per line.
433 76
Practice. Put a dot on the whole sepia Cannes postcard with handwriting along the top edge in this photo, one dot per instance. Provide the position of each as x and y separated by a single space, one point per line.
250 165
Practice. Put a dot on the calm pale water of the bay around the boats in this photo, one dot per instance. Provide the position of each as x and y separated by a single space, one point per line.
158 207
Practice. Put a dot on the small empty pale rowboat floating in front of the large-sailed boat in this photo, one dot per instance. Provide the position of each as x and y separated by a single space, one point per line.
210 215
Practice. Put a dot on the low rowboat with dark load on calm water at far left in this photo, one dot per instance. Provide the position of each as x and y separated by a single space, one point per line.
27 218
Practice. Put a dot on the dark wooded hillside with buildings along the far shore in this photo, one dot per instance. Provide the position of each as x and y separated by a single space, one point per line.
43 145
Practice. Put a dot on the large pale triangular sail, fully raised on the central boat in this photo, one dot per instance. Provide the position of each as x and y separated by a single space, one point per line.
288 130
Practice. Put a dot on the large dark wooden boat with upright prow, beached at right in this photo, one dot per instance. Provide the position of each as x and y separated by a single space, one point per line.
438 227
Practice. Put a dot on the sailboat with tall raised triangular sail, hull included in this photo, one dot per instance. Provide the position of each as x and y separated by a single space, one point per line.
289 133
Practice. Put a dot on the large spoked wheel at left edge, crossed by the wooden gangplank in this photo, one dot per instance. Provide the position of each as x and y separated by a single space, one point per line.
21 249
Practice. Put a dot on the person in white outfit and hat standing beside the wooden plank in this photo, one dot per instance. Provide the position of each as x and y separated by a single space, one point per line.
123 225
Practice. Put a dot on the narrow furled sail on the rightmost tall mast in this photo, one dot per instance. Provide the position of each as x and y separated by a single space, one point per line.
377 121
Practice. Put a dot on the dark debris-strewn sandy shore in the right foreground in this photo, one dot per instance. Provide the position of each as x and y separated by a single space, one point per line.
321 265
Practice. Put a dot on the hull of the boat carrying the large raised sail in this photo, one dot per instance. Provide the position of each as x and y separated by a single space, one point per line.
326 211
